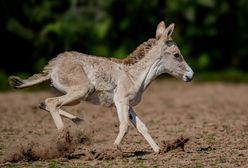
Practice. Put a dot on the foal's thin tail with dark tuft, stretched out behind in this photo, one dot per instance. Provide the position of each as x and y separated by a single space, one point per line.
17 82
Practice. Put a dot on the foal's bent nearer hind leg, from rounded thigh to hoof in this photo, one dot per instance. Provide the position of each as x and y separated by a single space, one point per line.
68 77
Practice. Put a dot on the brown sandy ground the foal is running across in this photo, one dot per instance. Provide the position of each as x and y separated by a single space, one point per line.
213 116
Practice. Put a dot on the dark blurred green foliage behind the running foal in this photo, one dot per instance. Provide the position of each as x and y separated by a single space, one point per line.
212 34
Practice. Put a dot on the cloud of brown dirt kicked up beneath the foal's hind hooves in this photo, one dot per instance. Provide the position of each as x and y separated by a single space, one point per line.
60 145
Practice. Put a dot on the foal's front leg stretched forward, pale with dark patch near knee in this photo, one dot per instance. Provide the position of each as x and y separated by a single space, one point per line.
142 129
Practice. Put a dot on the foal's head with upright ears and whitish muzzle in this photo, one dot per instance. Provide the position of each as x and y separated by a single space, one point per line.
172 61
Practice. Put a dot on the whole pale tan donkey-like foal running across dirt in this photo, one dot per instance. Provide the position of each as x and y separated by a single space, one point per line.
109 81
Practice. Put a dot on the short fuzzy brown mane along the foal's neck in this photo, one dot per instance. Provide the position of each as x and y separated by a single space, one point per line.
138 53
